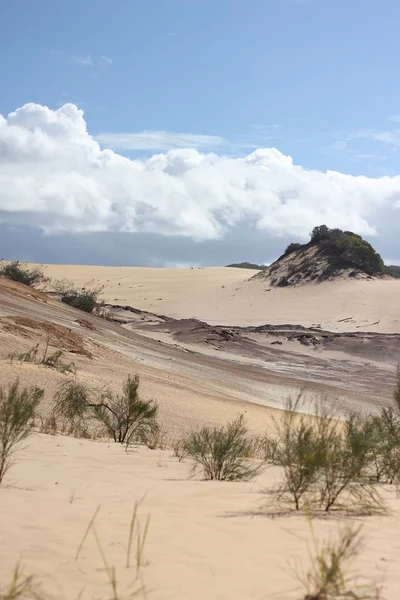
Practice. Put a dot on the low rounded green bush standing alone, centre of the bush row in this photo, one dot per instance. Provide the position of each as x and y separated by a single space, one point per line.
222 453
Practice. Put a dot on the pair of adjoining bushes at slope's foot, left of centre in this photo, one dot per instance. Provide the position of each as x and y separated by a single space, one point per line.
126 418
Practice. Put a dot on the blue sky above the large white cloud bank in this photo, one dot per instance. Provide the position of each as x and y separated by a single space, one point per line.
316 79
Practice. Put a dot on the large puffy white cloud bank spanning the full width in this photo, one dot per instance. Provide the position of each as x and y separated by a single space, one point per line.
55 176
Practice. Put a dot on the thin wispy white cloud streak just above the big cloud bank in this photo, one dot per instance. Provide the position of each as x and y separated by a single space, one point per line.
157 140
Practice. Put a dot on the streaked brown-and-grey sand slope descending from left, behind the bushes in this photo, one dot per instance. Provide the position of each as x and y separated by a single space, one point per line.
192 385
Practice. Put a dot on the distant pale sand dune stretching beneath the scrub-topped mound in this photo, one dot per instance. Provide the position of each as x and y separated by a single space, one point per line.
226 296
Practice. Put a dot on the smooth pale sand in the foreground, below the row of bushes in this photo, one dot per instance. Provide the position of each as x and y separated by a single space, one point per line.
206 540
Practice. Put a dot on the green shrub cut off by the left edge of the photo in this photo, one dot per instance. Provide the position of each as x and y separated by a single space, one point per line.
17 413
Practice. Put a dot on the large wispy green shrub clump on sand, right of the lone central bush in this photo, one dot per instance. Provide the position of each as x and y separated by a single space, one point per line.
324 462
